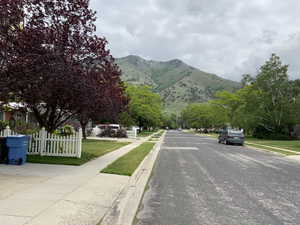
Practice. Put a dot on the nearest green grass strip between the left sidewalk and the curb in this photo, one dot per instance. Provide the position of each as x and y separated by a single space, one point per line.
127 164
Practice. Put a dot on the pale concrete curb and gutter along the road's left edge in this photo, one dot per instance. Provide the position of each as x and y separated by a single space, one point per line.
126 205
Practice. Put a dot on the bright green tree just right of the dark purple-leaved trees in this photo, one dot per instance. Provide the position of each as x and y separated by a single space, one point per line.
144 106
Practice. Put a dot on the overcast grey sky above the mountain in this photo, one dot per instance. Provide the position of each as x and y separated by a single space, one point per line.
225 37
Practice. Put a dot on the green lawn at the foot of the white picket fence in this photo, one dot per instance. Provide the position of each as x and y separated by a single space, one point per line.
91 149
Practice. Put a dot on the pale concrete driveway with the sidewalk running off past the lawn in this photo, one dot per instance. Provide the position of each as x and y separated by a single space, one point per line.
39 194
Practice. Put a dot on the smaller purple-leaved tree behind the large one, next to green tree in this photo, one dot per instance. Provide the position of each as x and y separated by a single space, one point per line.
101 100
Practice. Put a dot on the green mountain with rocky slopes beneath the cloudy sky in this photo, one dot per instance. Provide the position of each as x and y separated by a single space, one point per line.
176 82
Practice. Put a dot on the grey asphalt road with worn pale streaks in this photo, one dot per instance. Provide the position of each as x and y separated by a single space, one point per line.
198 181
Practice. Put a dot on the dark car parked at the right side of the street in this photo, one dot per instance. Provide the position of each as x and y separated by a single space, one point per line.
231 137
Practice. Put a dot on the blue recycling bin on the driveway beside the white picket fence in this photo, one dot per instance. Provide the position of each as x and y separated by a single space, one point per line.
17 149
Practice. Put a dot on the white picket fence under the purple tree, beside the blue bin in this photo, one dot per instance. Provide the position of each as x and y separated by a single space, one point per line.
47 144
